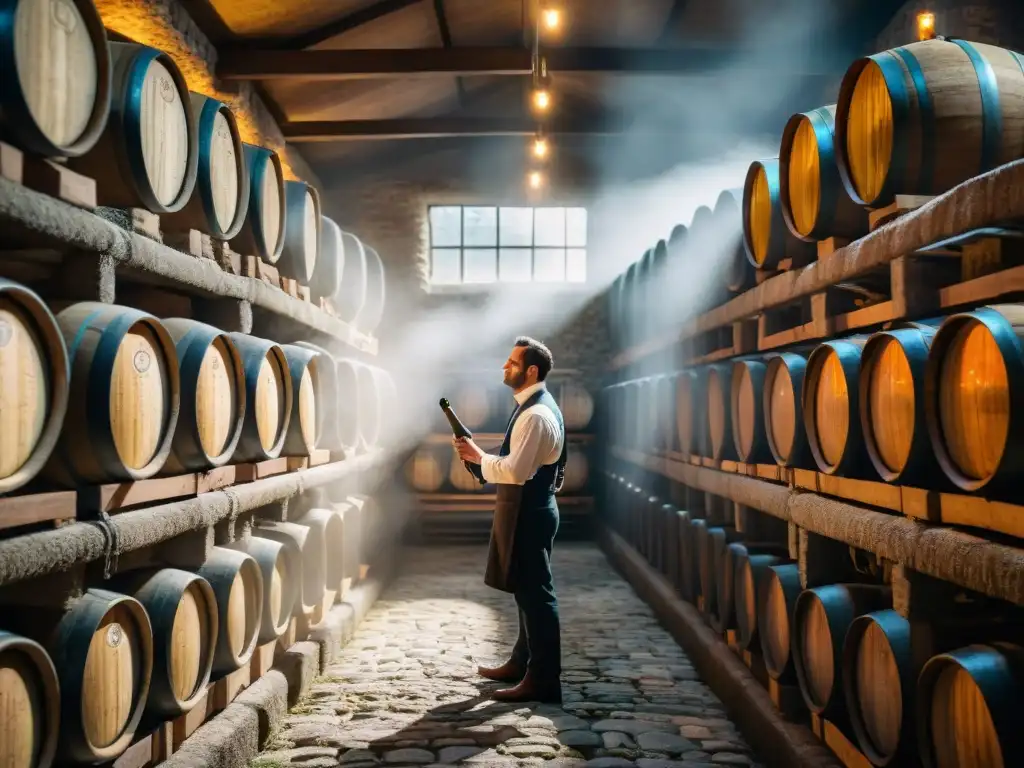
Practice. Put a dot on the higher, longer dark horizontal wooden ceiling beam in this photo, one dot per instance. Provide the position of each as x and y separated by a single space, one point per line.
248 64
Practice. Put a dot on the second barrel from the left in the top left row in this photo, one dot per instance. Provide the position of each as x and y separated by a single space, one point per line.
147 156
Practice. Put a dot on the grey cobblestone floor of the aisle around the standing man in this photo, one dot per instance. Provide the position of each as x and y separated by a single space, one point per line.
405 692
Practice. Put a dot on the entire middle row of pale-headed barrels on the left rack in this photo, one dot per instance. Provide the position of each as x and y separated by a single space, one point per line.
104 393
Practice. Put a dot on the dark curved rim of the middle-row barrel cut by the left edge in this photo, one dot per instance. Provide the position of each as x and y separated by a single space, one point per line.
45 326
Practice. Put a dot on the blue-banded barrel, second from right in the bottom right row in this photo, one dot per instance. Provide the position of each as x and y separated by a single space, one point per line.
879 680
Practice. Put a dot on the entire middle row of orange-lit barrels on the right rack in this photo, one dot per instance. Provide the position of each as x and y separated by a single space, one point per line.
934 403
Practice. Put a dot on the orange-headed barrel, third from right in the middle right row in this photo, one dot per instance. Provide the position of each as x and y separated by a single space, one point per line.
831 402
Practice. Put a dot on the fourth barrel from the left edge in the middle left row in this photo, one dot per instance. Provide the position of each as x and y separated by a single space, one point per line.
270 397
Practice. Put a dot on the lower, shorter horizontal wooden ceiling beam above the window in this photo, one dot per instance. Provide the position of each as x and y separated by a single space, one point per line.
410 129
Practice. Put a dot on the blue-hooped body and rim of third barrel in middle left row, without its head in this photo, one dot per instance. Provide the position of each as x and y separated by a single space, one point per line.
192 350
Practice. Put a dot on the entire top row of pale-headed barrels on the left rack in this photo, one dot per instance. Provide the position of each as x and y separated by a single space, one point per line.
122 114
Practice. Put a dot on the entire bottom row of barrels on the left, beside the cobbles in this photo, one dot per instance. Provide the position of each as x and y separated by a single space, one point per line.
80 680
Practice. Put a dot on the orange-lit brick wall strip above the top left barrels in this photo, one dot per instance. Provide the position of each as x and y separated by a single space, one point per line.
165 25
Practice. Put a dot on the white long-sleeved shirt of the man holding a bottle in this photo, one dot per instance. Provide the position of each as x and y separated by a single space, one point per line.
536 442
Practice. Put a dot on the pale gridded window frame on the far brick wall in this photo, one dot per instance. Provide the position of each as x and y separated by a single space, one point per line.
497 247
